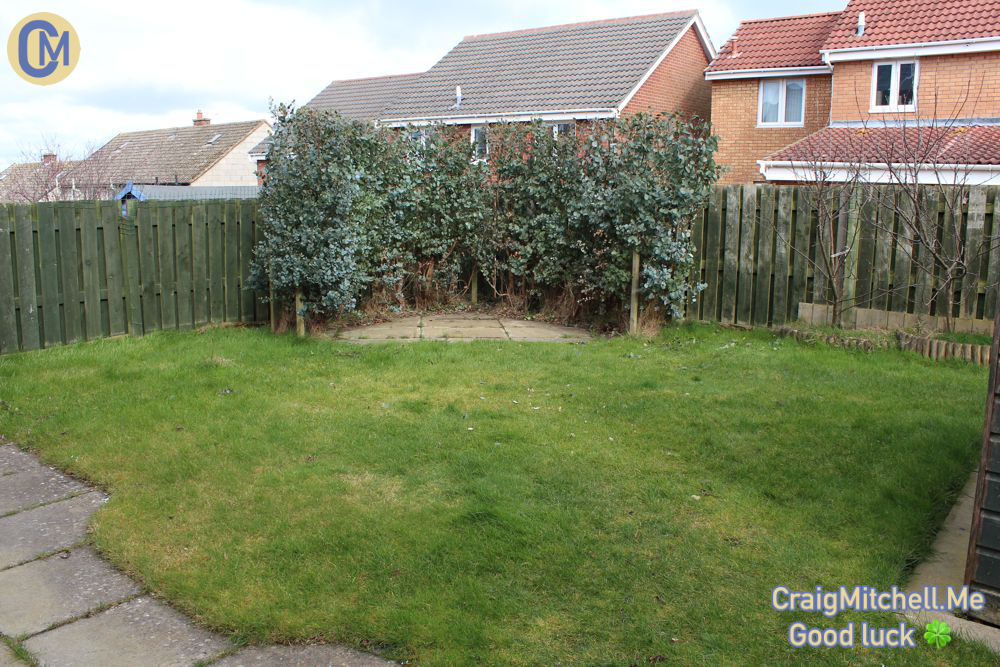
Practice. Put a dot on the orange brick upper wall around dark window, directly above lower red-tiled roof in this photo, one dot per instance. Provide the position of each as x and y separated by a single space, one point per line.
966 86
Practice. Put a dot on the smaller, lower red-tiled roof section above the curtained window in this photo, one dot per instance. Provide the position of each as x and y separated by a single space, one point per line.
790 41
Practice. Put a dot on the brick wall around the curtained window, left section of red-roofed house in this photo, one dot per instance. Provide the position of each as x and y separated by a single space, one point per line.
741 142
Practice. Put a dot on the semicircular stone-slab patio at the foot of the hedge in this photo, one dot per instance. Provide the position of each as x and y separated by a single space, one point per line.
463 327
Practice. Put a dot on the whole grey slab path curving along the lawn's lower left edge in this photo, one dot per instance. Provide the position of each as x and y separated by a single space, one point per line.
65 607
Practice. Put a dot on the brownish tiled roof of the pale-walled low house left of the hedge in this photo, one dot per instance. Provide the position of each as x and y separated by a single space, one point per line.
172 155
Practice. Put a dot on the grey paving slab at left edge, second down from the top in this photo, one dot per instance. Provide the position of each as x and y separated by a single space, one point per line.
27 535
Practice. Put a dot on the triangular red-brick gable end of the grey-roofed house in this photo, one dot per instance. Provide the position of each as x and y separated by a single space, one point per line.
678 83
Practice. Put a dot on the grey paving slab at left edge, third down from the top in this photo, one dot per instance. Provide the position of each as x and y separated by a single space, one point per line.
39 594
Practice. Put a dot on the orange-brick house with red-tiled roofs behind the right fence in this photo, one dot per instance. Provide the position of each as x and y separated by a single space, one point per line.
882 83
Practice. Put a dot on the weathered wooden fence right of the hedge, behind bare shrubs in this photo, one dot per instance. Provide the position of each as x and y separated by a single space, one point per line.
752 244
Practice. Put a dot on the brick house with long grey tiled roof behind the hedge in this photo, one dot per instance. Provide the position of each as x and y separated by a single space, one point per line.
562 75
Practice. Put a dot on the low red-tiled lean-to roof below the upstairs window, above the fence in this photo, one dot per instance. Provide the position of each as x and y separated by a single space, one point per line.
971 145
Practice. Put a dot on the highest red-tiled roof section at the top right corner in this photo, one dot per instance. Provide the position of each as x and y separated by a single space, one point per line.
891 22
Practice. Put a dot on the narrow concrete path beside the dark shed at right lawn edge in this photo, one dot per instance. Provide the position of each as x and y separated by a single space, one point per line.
946 567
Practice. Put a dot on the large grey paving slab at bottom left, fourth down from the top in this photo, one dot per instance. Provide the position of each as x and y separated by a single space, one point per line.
142 631
